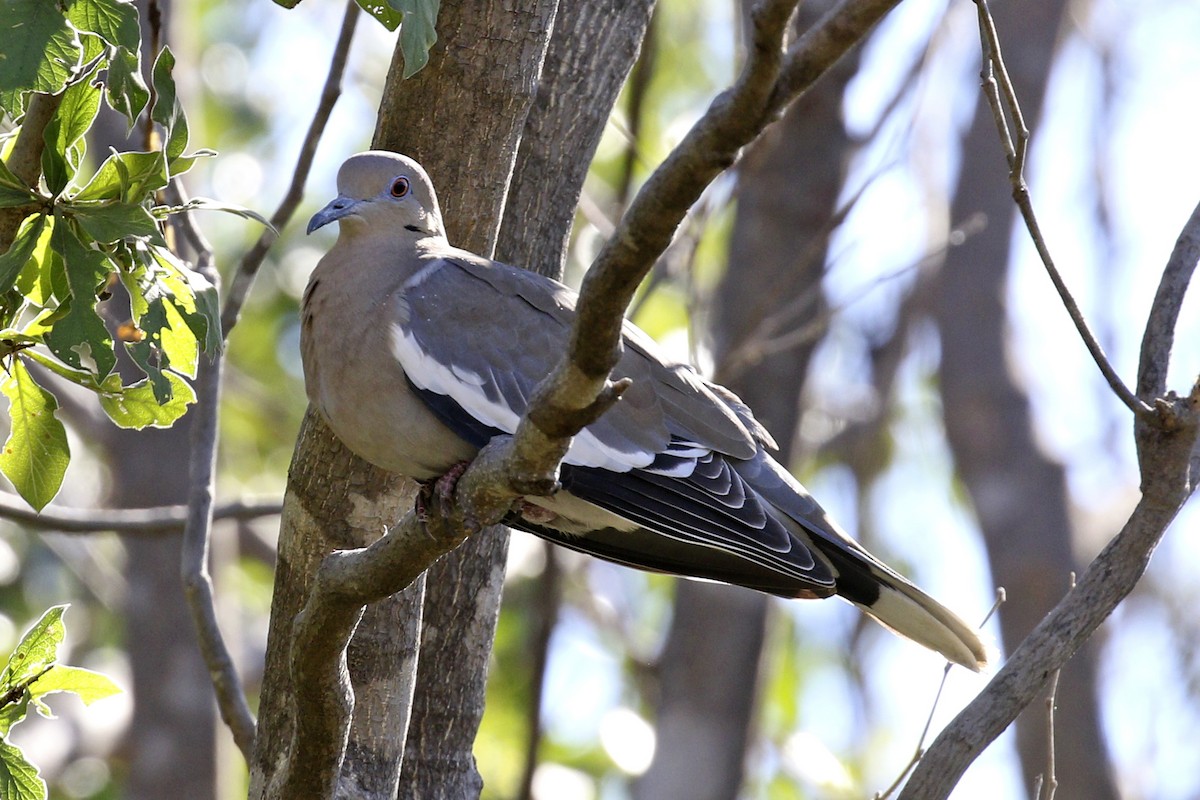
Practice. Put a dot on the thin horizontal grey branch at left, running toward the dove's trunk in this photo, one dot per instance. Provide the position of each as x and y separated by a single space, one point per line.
152 522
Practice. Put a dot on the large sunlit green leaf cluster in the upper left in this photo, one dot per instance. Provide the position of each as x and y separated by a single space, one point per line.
81 234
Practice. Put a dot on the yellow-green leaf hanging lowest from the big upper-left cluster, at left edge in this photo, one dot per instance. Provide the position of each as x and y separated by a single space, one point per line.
35 456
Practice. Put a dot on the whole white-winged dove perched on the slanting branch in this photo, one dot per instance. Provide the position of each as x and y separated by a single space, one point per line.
417 354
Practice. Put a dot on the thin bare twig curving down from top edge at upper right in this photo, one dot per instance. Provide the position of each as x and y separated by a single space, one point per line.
995 80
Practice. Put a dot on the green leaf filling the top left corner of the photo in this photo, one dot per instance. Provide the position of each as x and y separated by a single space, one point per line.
41 51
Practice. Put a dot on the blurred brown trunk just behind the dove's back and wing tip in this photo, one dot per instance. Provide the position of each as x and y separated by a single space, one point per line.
788 190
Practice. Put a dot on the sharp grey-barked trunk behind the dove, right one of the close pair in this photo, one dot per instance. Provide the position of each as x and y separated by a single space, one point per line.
589 56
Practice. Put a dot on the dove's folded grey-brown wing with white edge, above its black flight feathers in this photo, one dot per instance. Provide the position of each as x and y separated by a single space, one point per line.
484 335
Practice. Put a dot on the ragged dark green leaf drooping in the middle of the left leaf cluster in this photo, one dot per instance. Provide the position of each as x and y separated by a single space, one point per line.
80 338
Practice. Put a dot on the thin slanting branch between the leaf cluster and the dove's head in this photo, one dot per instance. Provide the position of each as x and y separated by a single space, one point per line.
244 276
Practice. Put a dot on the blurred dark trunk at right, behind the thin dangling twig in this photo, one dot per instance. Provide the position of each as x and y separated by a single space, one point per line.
1019 494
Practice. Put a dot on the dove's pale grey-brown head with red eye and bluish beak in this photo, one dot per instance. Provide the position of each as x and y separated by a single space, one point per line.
383 191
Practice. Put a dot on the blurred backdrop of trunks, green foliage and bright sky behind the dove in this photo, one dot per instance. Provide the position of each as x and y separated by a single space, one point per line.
859 280
